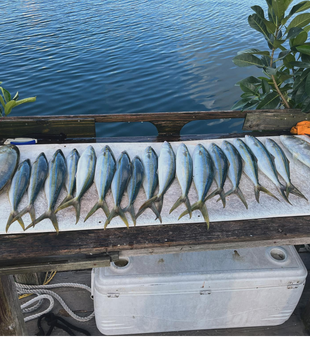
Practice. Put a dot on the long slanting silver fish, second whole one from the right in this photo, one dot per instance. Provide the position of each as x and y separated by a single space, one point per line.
265 163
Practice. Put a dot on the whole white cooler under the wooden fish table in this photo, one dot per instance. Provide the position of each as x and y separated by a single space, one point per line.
194 291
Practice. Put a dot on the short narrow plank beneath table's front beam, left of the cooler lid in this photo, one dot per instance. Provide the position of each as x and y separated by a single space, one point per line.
50 264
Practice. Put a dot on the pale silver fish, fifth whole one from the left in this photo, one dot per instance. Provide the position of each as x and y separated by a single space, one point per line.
84 180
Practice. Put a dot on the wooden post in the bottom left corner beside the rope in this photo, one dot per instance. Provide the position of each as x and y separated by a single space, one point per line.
12 325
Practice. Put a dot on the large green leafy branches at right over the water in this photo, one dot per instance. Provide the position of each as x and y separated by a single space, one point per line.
286 62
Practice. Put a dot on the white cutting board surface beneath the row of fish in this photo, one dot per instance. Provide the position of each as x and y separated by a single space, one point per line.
235 210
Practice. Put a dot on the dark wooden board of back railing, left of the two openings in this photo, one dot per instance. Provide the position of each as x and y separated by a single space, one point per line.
37 127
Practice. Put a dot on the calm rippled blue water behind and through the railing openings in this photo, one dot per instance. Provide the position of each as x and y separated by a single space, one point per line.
92 57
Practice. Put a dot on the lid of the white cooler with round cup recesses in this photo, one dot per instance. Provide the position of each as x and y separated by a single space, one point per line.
251 267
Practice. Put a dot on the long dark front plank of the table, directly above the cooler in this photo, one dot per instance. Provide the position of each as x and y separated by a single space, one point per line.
147 240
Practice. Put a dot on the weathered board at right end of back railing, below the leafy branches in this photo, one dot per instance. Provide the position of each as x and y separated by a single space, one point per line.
274 121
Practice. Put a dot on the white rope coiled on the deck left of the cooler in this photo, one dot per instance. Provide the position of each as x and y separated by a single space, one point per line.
42 291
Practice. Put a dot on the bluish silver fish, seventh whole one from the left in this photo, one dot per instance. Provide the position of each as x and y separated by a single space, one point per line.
119 184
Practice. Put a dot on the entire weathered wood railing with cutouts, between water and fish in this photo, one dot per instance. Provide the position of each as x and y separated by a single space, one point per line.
167 123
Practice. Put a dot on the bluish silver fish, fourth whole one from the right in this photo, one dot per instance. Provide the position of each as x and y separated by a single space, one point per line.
234 170
